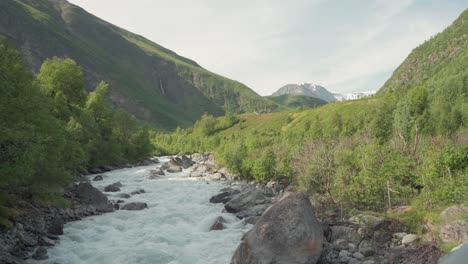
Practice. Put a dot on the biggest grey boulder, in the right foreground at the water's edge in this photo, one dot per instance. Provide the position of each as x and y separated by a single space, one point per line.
287 233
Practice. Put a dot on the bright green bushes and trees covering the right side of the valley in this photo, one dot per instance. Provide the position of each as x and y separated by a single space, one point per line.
411 143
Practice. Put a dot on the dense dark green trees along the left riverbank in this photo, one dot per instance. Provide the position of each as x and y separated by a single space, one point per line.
51 129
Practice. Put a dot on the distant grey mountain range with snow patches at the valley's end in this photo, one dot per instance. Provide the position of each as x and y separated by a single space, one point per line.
314 90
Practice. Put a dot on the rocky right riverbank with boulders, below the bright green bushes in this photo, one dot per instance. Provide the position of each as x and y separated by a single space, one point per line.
286 229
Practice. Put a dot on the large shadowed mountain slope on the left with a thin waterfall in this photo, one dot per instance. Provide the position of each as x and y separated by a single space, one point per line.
149 81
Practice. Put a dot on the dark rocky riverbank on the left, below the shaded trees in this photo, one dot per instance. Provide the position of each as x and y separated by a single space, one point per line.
38 227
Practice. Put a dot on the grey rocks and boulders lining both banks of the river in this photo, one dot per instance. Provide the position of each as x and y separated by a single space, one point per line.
285 229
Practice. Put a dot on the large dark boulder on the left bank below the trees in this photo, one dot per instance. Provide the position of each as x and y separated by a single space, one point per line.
86 194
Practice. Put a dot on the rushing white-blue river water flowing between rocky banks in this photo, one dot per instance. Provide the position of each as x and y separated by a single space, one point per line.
174 229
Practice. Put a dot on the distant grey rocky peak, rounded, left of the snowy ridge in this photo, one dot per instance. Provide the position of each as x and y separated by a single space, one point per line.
306 89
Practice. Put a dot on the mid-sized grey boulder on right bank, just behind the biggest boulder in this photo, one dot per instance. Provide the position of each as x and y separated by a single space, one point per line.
245 200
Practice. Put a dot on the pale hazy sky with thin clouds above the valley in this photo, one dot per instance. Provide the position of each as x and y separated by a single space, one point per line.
343 45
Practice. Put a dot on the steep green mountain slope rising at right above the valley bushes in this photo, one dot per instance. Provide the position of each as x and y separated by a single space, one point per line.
444 55
